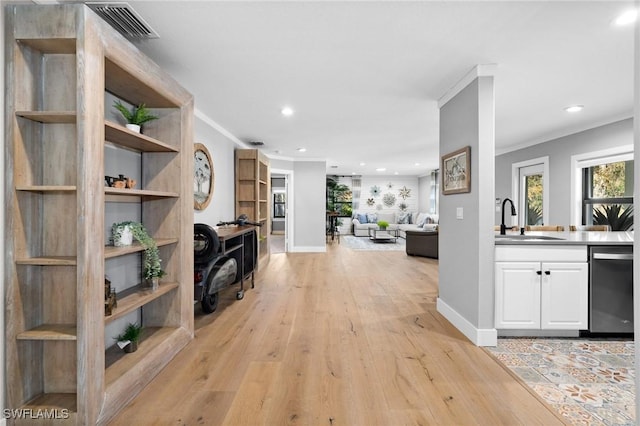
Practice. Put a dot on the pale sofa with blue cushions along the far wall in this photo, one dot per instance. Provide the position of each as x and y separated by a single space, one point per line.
403 221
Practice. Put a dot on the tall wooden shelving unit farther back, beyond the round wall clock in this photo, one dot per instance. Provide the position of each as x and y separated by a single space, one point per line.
253 189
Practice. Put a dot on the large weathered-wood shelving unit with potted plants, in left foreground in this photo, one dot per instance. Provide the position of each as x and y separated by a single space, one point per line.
63 63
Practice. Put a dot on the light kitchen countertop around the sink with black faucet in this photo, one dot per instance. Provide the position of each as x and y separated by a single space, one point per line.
565 238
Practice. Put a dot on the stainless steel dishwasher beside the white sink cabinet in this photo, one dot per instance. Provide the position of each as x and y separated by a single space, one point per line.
611 289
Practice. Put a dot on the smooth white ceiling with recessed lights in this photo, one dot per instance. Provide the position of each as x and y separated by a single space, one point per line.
364 78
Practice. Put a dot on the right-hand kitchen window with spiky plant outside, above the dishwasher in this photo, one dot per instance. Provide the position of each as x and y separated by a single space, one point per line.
607 195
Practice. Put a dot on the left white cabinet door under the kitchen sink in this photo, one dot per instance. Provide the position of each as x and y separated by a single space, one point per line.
517 295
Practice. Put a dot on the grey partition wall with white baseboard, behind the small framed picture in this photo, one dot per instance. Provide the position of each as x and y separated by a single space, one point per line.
466 245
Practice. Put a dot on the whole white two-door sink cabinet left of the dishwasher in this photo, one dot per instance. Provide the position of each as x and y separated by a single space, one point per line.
541 293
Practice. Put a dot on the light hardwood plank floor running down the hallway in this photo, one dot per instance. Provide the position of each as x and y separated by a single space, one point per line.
339 338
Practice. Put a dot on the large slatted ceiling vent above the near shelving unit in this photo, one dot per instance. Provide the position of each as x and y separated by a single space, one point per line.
123 18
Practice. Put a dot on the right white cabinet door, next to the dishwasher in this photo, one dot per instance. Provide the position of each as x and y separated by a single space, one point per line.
564 293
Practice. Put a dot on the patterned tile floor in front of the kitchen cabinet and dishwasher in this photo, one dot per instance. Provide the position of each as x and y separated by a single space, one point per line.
589 382
